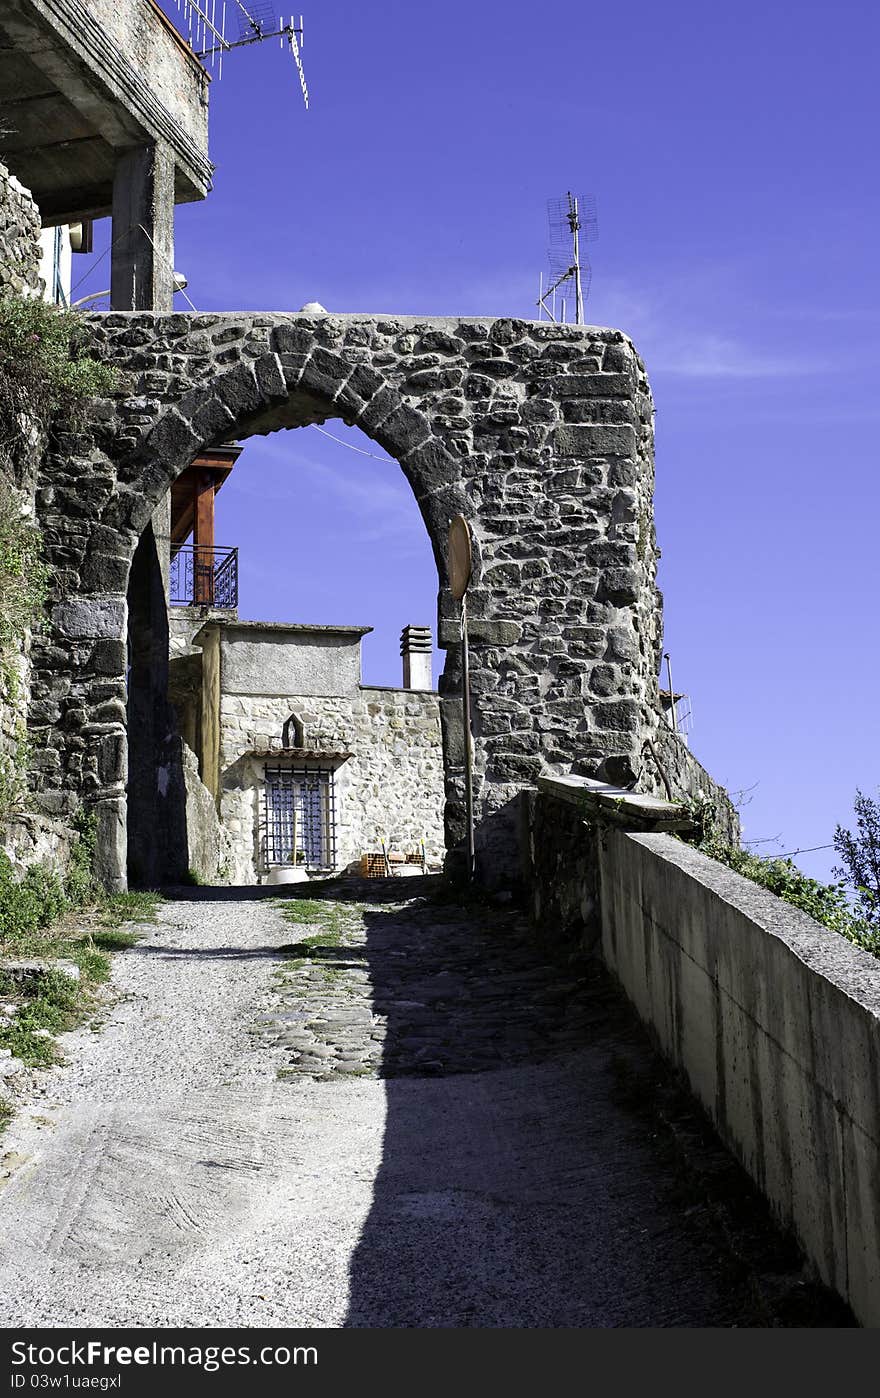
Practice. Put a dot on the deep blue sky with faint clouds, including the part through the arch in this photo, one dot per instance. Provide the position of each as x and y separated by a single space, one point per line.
732 153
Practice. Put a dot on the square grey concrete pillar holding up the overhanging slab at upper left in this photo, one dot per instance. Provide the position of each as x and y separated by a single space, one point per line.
142 258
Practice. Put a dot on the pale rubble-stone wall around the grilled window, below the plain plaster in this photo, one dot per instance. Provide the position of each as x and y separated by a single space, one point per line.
390 789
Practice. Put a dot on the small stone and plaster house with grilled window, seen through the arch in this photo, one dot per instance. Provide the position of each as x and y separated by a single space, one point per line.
307 765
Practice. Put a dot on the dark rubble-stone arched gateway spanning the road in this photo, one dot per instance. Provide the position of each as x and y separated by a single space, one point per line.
539 434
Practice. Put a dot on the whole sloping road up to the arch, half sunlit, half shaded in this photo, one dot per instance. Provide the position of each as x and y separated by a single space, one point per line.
374 1109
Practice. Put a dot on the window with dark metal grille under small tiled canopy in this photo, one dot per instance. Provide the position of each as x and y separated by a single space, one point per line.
300 826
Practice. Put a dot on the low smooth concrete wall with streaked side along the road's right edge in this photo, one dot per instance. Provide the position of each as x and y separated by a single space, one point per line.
776 1023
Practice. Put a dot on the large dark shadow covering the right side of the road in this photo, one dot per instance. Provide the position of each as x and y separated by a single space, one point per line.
521 1186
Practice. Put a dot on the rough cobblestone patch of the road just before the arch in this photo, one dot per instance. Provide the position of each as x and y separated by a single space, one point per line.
422 986
